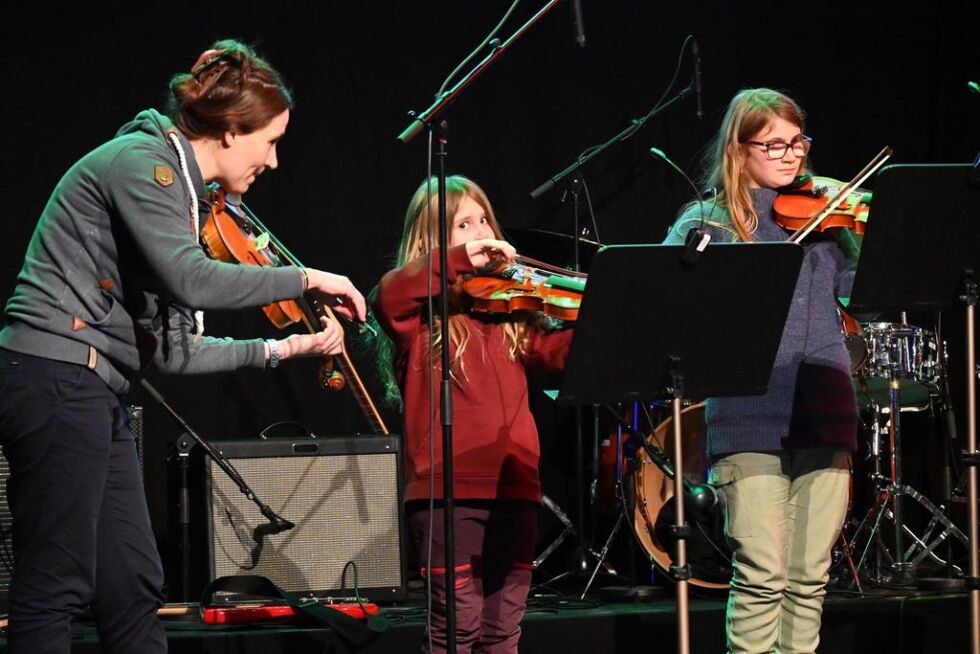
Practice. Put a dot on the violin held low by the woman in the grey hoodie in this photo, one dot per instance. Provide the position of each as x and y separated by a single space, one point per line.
233 234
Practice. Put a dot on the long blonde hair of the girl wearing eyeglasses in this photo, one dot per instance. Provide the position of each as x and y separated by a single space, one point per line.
748 113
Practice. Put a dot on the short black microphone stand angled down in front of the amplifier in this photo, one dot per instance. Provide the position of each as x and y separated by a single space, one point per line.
276 523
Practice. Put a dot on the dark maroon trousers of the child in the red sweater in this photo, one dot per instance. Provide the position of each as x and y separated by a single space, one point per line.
493 555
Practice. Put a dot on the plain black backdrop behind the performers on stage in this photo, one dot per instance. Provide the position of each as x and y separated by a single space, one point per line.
868 74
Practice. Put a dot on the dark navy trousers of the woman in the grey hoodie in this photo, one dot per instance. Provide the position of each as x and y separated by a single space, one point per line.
82 536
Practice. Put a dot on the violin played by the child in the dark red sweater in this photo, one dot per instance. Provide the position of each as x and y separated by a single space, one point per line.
525 285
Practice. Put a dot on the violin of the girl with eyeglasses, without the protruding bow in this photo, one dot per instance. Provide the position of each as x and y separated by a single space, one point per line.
809 194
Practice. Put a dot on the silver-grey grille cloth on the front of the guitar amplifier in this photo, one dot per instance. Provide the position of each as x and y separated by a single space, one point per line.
345 508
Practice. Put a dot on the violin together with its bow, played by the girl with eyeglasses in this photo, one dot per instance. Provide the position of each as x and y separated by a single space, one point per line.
802 215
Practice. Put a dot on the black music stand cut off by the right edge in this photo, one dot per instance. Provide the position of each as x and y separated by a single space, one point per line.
921 251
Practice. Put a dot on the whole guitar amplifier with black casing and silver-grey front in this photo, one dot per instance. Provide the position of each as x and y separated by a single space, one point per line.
343 495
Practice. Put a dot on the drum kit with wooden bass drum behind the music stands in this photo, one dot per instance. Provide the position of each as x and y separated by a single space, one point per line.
897 368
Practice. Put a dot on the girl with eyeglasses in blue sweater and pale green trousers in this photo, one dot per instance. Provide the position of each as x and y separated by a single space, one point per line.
780 461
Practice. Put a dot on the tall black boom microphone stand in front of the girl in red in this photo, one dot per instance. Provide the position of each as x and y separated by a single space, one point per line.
426 119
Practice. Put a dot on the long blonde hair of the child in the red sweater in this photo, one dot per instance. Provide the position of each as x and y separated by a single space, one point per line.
419 237
